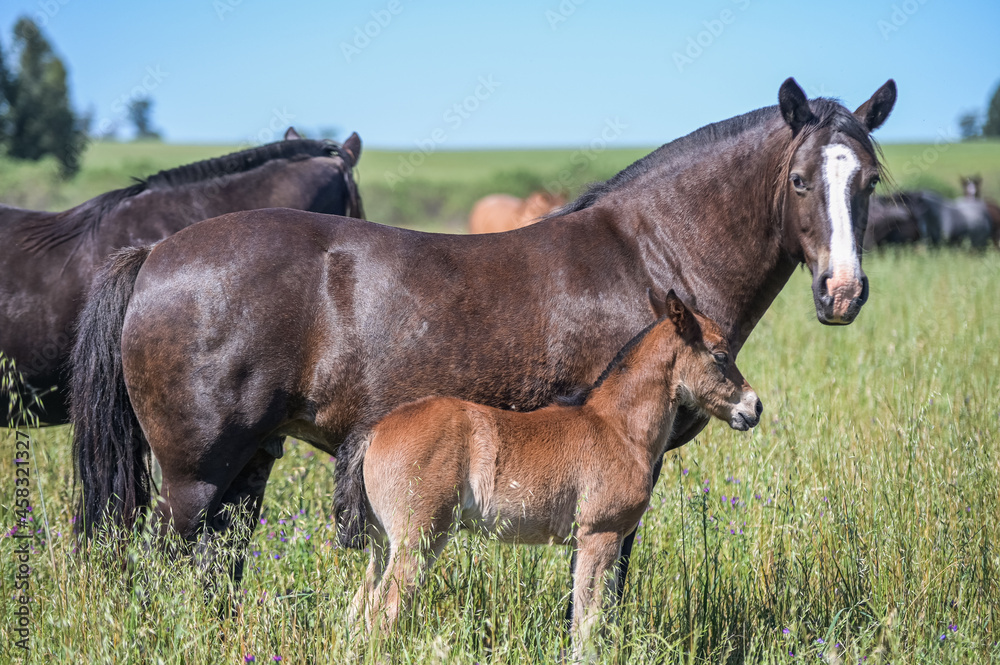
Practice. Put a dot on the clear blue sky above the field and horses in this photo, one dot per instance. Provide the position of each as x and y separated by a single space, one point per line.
512 74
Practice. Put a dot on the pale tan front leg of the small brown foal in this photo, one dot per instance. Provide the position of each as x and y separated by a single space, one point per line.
593 585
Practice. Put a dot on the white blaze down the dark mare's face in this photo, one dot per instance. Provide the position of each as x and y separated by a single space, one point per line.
839 166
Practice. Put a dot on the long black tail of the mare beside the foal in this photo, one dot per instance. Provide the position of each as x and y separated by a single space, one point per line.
111 453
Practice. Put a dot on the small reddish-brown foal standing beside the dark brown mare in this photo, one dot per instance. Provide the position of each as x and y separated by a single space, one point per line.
579 475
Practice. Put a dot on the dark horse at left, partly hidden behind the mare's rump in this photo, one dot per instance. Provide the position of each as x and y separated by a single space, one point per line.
48 260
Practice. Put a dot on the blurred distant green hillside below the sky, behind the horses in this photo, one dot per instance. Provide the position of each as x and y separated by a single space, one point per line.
437 190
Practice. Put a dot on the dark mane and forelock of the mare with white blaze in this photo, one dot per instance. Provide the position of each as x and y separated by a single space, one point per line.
827 112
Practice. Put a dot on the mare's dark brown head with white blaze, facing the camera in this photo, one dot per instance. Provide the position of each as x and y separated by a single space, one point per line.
830 174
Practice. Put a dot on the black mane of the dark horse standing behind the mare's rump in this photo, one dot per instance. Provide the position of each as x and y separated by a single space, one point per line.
52 231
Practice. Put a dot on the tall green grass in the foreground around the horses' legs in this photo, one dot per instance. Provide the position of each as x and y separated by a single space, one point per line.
858 522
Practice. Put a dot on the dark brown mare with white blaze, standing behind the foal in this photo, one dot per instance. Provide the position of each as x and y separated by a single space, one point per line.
225 338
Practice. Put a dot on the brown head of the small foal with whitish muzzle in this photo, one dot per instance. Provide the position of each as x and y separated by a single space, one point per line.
705 371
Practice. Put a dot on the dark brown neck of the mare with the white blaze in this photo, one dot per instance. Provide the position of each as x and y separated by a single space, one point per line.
709 227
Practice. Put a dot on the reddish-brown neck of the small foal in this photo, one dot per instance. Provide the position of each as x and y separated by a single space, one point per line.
637 396
